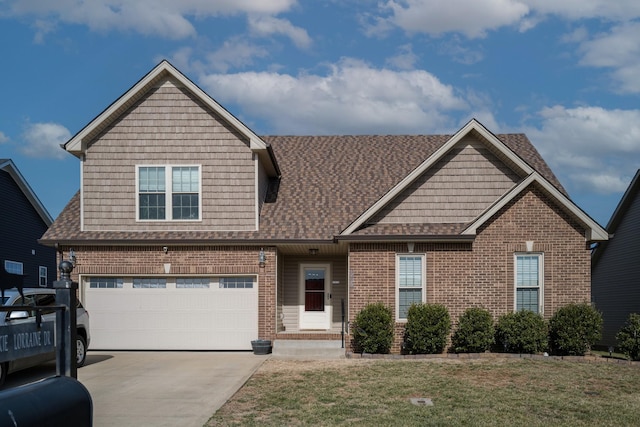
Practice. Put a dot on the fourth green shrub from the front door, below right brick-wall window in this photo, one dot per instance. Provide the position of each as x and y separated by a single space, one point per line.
521 332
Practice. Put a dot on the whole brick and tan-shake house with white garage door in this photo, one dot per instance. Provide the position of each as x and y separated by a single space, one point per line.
192 232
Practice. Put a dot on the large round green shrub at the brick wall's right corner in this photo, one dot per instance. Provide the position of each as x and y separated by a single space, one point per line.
574 328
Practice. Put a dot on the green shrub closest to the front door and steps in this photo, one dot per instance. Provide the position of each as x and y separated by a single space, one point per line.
373 329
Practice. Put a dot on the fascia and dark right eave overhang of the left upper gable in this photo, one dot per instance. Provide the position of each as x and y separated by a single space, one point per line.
78 143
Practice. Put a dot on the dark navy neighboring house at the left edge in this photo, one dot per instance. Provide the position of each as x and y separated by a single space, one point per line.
24 220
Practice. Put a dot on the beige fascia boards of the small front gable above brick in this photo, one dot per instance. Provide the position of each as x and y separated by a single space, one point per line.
594 232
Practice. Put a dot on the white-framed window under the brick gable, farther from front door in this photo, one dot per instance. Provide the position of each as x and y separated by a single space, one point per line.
529 282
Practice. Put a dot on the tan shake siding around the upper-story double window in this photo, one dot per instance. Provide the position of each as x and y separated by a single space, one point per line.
169 126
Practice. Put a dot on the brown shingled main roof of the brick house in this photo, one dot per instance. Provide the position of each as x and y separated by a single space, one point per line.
326 183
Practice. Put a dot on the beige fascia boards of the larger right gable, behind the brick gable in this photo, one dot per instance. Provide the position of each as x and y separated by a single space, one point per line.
472 125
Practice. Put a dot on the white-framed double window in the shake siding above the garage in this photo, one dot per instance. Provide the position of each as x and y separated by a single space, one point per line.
168 193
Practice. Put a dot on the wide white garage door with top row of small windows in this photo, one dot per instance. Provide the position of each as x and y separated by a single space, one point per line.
172 313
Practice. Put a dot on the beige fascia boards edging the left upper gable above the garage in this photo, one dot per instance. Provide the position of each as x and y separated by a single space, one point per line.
77 145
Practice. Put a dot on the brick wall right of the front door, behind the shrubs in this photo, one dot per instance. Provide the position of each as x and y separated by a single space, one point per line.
481 274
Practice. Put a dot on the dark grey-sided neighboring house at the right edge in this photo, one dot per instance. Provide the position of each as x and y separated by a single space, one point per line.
615 286
